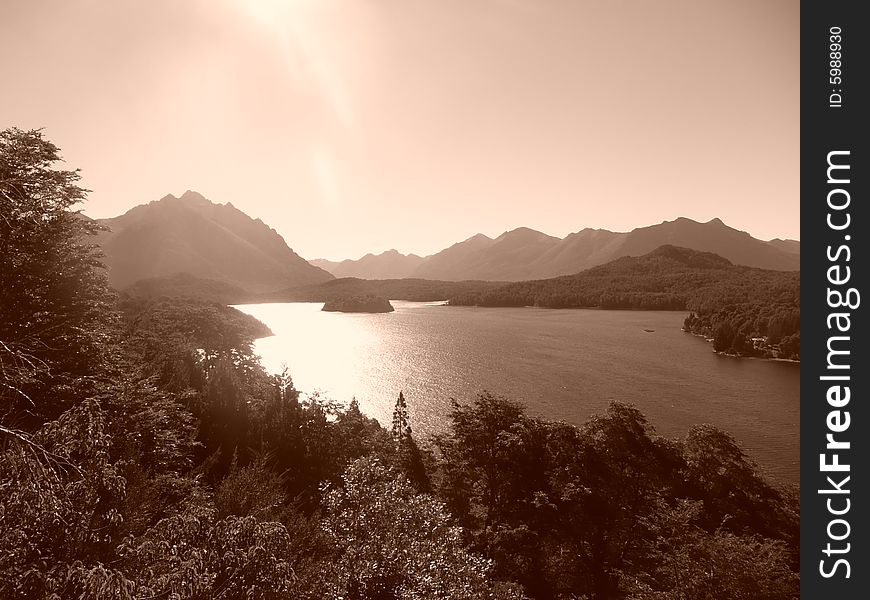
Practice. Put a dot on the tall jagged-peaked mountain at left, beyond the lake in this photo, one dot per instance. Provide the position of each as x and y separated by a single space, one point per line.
211 241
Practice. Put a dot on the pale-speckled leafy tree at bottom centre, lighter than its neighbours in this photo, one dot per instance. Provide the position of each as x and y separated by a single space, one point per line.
392 543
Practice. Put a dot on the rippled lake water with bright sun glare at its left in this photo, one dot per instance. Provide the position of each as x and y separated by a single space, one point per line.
563 364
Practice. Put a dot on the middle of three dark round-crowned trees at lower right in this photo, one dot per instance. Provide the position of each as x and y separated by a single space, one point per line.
615 470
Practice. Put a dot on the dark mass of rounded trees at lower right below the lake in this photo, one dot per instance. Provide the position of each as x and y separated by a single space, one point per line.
574 511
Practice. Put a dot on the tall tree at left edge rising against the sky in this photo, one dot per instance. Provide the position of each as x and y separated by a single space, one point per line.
54 298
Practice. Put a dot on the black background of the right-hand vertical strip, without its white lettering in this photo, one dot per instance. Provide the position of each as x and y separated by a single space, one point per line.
825 129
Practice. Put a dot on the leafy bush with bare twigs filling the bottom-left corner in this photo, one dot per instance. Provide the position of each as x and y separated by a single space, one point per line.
58 497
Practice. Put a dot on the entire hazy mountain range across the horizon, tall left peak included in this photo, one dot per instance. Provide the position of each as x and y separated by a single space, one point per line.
221 245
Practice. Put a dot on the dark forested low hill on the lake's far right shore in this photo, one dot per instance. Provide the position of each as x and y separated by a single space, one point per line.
746 311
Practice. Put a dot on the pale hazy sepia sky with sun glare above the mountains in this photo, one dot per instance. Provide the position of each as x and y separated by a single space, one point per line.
353 126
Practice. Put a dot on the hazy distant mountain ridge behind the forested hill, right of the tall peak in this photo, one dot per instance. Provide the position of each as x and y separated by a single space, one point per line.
523 253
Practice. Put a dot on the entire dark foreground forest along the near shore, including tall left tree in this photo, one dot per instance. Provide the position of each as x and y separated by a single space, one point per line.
145 453
